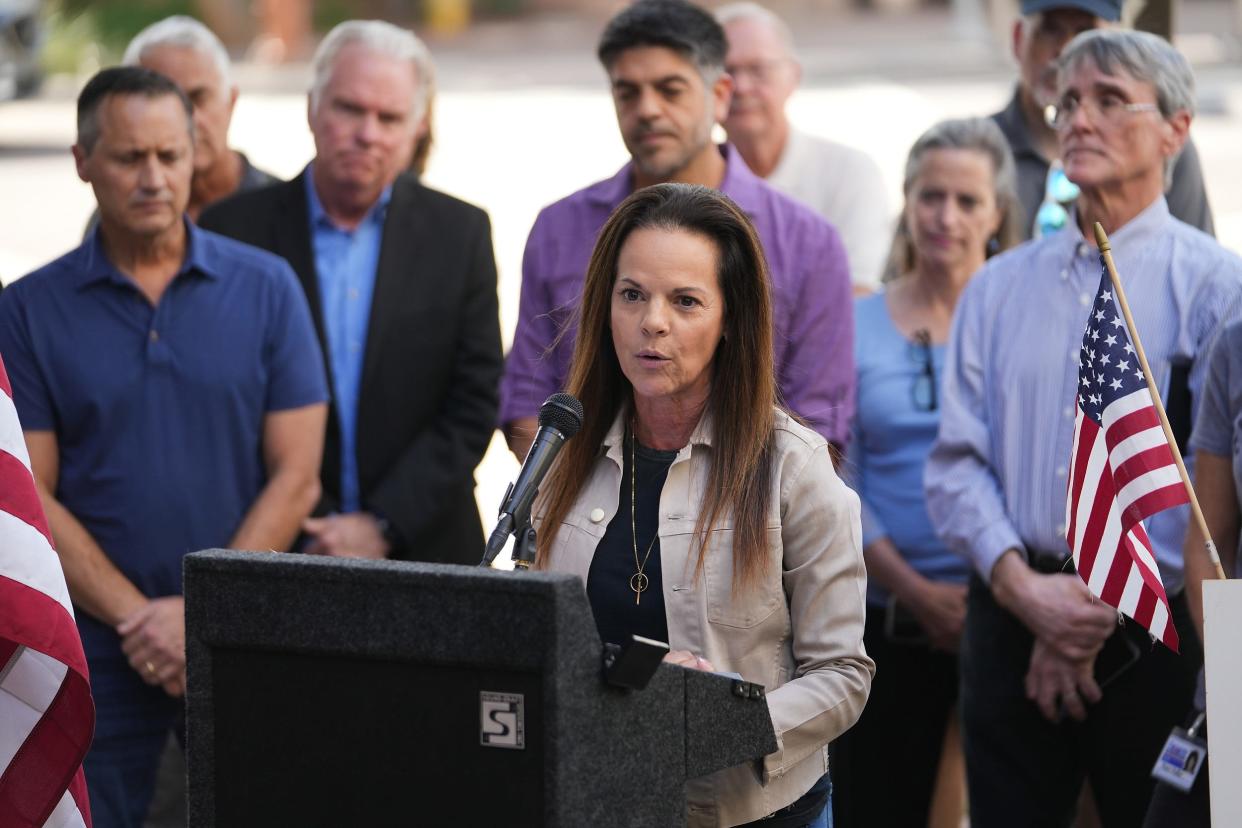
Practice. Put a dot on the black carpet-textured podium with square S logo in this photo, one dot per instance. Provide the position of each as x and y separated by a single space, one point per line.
327 692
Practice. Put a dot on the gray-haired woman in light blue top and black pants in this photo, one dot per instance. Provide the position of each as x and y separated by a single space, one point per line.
961 208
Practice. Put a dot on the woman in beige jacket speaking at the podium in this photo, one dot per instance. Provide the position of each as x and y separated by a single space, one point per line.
696 511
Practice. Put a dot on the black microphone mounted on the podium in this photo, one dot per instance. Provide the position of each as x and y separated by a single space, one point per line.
561 418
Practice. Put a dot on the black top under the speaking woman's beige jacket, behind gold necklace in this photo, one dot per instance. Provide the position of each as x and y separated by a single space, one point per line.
608 585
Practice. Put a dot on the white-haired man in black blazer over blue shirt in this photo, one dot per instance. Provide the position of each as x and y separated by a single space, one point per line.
402 286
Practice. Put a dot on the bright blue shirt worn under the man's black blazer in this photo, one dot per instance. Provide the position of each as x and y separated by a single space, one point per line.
346 264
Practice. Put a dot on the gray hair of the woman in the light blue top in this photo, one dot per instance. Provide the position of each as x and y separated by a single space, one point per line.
976 135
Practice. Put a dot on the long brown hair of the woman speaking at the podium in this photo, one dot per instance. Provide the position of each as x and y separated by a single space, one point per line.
743 397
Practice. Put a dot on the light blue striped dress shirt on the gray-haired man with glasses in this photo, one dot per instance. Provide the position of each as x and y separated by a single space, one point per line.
997 476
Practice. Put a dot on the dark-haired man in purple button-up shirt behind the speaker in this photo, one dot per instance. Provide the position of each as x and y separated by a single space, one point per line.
665 61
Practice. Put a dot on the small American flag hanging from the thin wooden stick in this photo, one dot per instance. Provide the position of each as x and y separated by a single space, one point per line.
1122 472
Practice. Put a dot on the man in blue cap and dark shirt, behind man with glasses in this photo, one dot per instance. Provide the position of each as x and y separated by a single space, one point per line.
1039 37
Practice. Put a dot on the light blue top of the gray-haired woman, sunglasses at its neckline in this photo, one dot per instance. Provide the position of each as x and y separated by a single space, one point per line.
890 443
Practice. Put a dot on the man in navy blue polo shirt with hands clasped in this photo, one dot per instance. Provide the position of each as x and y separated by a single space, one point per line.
173 397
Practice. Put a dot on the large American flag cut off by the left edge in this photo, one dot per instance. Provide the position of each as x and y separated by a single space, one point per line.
47 714
